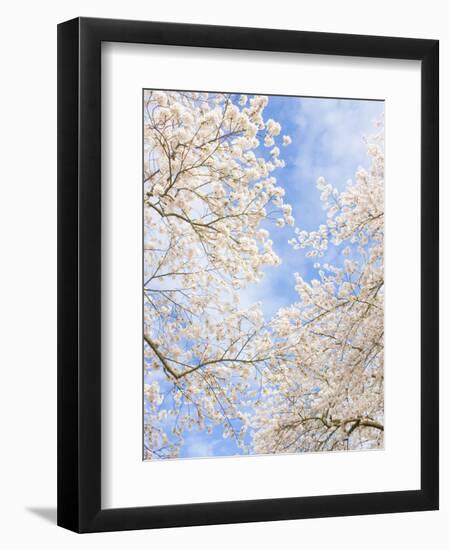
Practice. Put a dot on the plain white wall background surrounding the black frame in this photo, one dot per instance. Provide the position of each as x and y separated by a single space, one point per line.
28 276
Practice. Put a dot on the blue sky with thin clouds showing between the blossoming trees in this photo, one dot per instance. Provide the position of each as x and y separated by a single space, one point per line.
327 140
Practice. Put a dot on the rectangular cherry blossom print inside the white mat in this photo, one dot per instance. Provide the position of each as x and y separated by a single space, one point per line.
263 274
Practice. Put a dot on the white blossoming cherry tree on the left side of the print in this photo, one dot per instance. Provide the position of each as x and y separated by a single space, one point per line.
208 200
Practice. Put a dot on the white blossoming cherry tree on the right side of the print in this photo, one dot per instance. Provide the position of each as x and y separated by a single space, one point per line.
326 390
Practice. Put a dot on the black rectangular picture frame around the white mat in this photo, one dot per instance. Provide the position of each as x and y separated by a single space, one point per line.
79 274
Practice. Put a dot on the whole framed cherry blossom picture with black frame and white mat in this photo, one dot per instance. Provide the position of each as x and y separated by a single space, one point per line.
237 339
